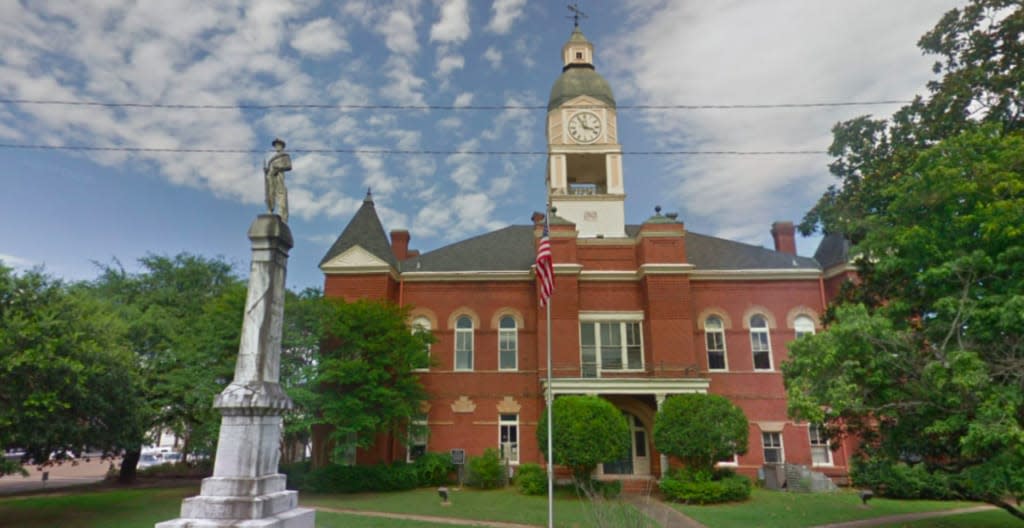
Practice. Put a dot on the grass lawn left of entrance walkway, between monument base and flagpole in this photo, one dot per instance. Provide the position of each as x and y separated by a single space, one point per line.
501 505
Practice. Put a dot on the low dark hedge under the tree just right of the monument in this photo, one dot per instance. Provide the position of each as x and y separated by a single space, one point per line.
353 479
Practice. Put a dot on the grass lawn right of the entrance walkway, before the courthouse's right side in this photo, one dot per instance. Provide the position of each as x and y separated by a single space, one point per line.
772 509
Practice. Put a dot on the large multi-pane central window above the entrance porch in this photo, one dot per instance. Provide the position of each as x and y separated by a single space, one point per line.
611 346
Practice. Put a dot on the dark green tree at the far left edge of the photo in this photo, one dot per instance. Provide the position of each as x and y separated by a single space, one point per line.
67 381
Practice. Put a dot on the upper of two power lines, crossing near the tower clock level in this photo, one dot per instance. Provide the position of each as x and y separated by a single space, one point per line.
348 107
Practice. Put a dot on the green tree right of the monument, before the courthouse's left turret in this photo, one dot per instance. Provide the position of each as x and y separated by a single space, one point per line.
366 377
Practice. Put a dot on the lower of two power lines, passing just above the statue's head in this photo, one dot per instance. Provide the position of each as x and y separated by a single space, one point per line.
388 152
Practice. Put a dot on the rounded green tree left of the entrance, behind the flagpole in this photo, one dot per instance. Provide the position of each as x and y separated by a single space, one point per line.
587 431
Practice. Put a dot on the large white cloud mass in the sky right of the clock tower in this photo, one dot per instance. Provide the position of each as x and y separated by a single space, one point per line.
751 53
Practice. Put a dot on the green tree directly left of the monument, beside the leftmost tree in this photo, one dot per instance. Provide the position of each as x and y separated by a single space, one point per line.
184 318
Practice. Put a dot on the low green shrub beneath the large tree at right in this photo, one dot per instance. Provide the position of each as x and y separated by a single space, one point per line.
901 480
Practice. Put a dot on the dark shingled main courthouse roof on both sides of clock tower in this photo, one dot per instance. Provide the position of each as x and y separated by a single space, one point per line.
513 249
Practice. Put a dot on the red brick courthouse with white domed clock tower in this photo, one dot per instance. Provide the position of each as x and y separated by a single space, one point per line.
639 314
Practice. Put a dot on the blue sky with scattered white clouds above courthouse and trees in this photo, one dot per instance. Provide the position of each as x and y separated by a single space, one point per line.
69 211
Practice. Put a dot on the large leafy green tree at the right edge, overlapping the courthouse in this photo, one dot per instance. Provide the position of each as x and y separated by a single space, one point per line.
924 358
